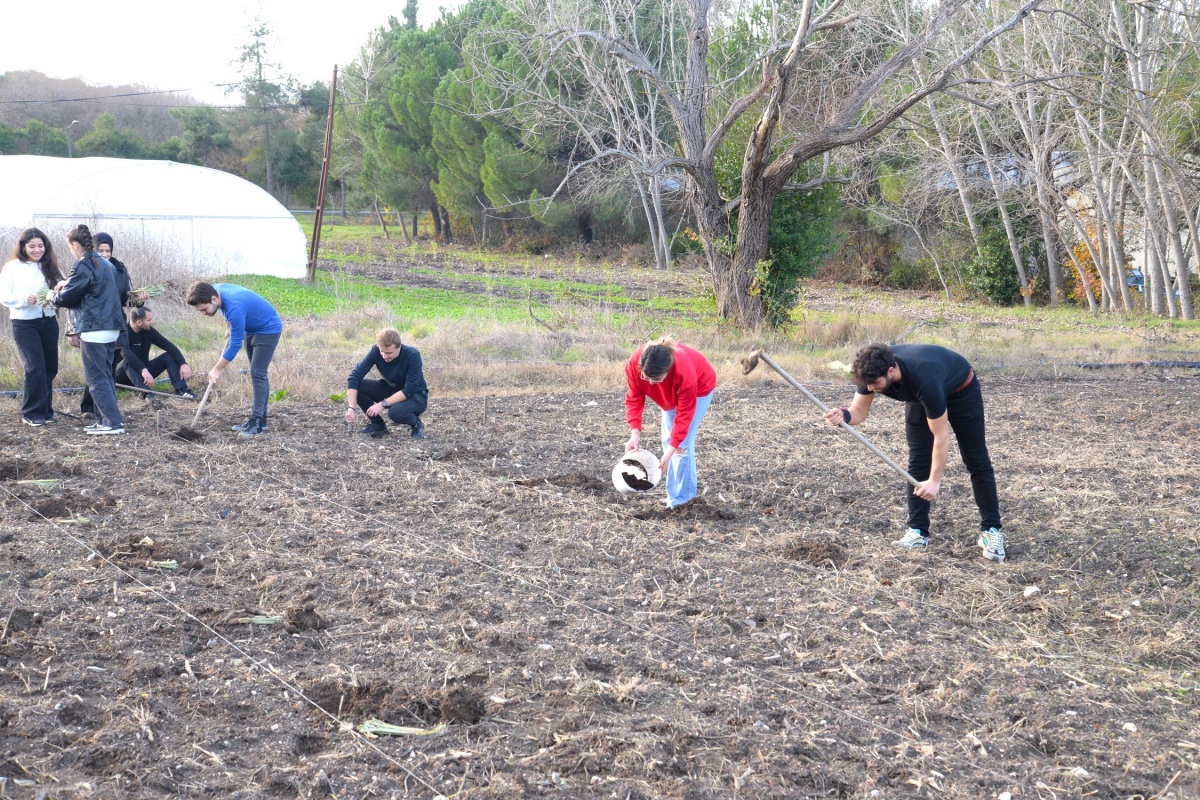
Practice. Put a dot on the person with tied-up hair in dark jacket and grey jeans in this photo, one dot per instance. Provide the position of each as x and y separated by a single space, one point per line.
94 299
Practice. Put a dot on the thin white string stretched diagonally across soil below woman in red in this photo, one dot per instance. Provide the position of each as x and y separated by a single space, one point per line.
633 627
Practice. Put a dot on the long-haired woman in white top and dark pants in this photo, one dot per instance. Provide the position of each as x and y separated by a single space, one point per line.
35 329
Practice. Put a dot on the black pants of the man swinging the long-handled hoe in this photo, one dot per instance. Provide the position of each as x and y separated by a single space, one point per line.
965 416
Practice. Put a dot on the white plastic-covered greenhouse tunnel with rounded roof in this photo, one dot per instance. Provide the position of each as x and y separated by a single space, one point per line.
189 220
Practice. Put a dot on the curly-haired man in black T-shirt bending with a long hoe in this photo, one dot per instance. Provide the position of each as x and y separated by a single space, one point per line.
941 394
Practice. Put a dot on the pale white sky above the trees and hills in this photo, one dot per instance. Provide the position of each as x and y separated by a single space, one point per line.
194 46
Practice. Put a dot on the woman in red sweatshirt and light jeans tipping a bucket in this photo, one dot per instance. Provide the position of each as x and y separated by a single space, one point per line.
681 381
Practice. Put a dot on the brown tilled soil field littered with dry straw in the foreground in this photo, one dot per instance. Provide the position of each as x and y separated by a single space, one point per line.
217 618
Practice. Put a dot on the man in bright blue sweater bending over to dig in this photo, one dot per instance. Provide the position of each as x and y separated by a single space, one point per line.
254 322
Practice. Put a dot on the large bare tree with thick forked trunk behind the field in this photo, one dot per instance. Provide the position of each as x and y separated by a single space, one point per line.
819 79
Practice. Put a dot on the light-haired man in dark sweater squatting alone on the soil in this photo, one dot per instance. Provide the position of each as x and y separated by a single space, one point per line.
401 395
